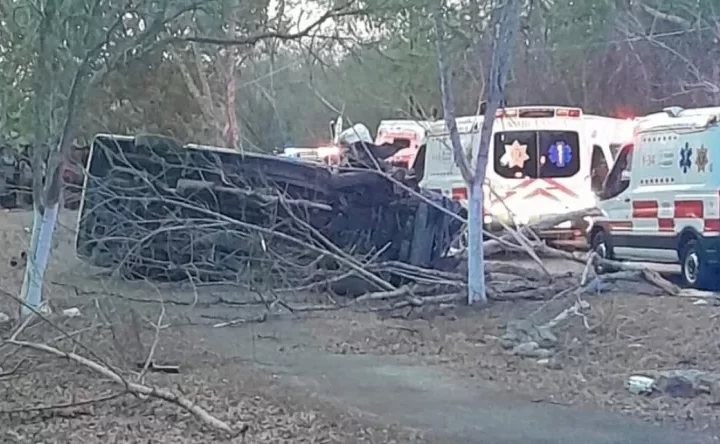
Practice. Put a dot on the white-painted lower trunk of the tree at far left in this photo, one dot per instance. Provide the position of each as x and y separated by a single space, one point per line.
38 256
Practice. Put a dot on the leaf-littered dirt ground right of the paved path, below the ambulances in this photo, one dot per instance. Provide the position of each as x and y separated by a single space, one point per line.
627 334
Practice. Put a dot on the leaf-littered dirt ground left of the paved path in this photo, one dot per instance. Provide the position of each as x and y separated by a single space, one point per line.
236 390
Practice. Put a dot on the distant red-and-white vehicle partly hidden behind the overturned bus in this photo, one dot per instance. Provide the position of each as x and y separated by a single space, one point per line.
408 135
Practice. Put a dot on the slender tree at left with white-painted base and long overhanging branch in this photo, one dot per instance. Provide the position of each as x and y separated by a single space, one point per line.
69 49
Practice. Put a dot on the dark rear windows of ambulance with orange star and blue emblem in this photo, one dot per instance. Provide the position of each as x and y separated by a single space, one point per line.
536 154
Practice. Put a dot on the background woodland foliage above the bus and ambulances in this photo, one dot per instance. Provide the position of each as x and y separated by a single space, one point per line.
608 56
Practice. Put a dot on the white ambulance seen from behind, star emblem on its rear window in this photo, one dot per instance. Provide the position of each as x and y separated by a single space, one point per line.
543 160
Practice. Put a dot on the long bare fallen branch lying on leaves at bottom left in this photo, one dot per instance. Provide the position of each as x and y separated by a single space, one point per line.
132 387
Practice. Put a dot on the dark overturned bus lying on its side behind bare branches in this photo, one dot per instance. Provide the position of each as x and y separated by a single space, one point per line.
158 208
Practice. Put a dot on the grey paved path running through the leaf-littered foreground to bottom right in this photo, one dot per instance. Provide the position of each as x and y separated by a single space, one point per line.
430 399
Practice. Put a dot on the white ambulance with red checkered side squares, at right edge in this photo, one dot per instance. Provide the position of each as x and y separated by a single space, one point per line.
660 202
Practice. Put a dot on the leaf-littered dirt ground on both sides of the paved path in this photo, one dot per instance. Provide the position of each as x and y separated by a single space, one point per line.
623 333
